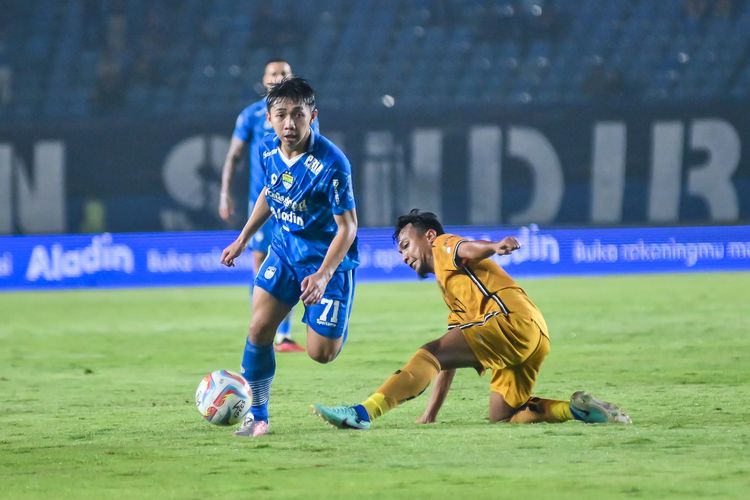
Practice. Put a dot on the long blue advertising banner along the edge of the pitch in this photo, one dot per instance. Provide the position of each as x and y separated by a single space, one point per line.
187 259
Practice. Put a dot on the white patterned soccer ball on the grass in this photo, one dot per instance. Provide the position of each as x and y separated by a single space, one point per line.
223 397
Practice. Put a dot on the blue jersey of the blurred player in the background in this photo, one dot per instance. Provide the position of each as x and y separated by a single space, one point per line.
251 127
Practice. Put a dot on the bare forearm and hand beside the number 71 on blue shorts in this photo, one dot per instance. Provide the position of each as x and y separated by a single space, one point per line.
314 285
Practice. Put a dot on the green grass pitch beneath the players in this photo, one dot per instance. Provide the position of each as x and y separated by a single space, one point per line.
97 398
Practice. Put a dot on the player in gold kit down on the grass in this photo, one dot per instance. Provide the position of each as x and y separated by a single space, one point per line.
493 325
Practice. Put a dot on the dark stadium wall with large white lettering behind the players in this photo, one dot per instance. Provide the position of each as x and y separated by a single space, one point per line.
687 164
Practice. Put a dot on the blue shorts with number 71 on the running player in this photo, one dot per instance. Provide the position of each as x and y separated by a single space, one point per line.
329 318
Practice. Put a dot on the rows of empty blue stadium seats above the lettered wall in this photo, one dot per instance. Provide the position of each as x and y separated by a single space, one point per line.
424 50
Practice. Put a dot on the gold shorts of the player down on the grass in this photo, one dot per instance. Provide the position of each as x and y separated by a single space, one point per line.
513 348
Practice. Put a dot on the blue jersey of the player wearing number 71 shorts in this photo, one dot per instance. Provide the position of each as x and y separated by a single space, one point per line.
304 194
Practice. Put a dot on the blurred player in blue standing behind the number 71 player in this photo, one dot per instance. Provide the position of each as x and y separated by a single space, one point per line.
250 128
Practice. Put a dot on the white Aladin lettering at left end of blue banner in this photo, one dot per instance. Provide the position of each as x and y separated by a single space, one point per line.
55 263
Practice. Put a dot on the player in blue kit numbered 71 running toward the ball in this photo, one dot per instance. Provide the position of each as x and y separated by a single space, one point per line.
313 254
